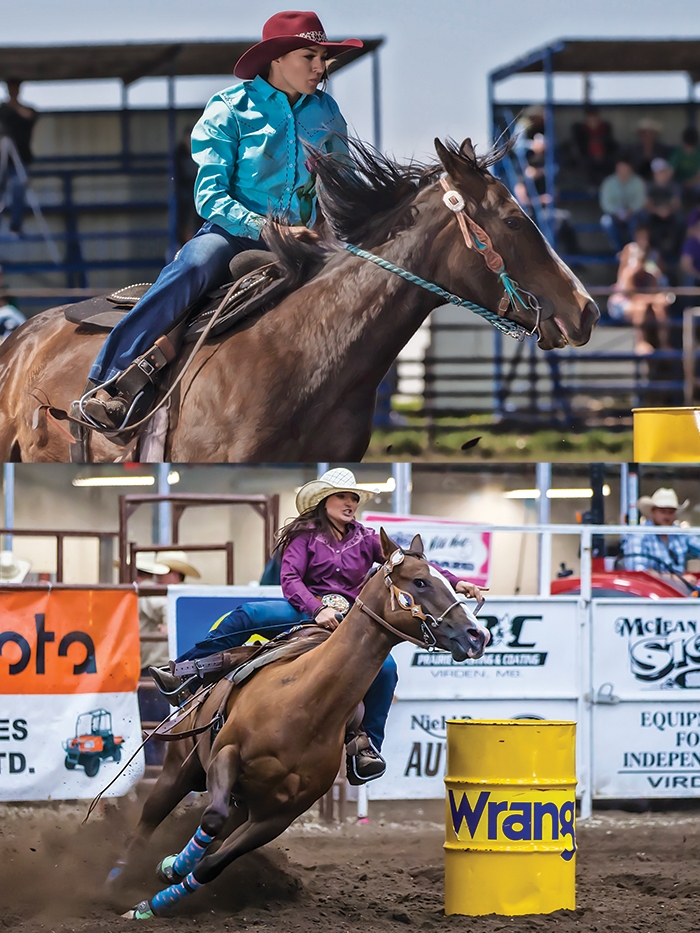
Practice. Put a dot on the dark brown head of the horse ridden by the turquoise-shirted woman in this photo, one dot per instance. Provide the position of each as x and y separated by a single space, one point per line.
566 313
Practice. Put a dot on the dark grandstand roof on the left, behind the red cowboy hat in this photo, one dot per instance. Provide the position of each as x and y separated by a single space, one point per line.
130 61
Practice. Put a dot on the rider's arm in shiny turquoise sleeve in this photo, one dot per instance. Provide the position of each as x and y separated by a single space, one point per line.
215 141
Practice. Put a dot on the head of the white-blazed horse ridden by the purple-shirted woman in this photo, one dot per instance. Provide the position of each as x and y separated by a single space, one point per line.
421 606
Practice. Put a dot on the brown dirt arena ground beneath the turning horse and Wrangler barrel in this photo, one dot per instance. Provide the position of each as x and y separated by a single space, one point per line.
635 873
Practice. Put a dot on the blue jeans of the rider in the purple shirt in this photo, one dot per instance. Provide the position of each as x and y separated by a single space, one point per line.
270 617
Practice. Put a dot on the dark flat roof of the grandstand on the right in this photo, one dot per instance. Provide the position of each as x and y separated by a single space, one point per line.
610 56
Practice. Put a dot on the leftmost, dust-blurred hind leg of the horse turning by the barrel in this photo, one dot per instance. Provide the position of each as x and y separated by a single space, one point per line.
178 777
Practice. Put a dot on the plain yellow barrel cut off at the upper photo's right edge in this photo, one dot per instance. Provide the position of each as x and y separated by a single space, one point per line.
666 435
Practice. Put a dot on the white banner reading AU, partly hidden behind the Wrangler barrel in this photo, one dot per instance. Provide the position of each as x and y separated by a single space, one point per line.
414 747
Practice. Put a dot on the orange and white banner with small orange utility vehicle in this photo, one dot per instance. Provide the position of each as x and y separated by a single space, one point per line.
69 669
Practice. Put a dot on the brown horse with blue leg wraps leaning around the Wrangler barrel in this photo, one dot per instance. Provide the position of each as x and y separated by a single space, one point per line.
281 746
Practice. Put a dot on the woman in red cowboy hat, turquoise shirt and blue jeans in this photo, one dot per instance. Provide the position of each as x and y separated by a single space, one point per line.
249 146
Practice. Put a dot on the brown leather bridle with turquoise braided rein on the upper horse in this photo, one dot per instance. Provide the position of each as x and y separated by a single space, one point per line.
475 237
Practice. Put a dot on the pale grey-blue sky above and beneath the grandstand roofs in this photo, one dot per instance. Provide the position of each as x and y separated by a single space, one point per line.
434 64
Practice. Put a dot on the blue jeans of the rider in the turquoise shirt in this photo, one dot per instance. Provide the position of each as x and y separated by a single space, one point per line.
201 264
